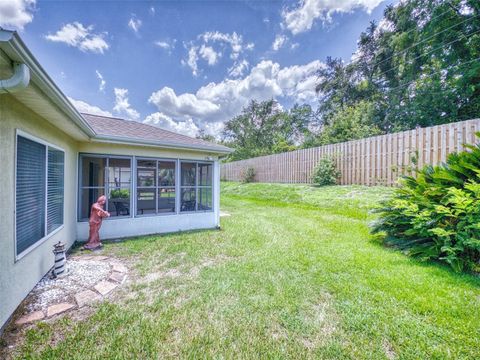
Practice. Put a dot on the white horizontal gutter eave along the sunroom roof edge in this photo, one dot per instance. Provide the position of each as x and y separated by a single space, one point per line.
162 144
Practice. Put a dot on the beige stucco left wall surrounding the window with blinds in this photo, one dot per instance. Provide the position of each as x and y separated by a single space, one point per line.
17 278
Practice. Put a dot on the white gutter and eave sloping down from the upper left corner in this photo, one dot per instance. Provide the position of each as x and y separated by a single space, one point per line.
42 80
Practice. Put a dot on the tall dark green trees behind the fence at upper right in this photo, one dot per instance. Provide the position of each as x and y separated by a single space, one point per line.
420 67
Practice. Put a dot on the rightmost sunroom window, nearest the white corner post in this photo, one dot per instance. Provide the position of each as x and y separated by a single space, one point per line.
196 186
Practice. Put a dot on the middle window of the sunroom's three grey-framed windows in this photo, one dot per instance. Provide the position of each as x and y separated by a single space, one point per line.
156 187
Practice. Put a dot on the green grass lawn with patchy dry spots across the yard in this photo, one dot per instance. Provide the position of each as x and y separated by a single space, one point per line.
293 273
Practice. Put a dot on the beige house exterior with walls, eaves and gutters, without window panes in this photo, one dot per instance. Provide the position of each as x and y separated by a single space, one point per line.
39 110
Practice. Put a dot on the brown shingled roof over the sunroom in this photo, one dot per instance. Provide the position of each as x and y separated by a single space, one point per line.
110 128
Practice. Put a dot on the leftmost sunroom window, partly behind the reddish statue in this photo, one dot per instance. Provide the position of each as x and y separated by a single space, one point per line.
109 176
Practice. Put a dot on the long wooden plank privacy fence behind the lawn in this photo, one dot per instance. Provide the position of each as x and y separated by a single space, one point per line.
378 160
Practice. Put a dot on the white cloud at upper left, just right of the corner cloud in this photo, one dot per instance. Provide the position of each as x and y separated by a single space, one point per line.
81 37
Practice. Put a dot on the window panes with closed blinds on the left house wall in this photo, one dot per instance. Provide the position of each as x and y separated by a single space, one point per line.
39 191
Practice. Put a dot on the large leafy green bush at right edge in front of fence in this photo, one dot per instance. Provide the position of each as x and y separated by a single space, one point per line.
436 216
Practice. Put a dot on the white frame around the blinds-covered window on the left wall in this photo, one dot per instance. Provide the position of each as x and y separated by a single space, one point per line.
47 235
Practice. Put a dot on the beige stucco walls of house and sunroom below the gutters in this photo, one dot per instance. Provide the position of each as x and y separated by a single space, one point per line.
18 276
